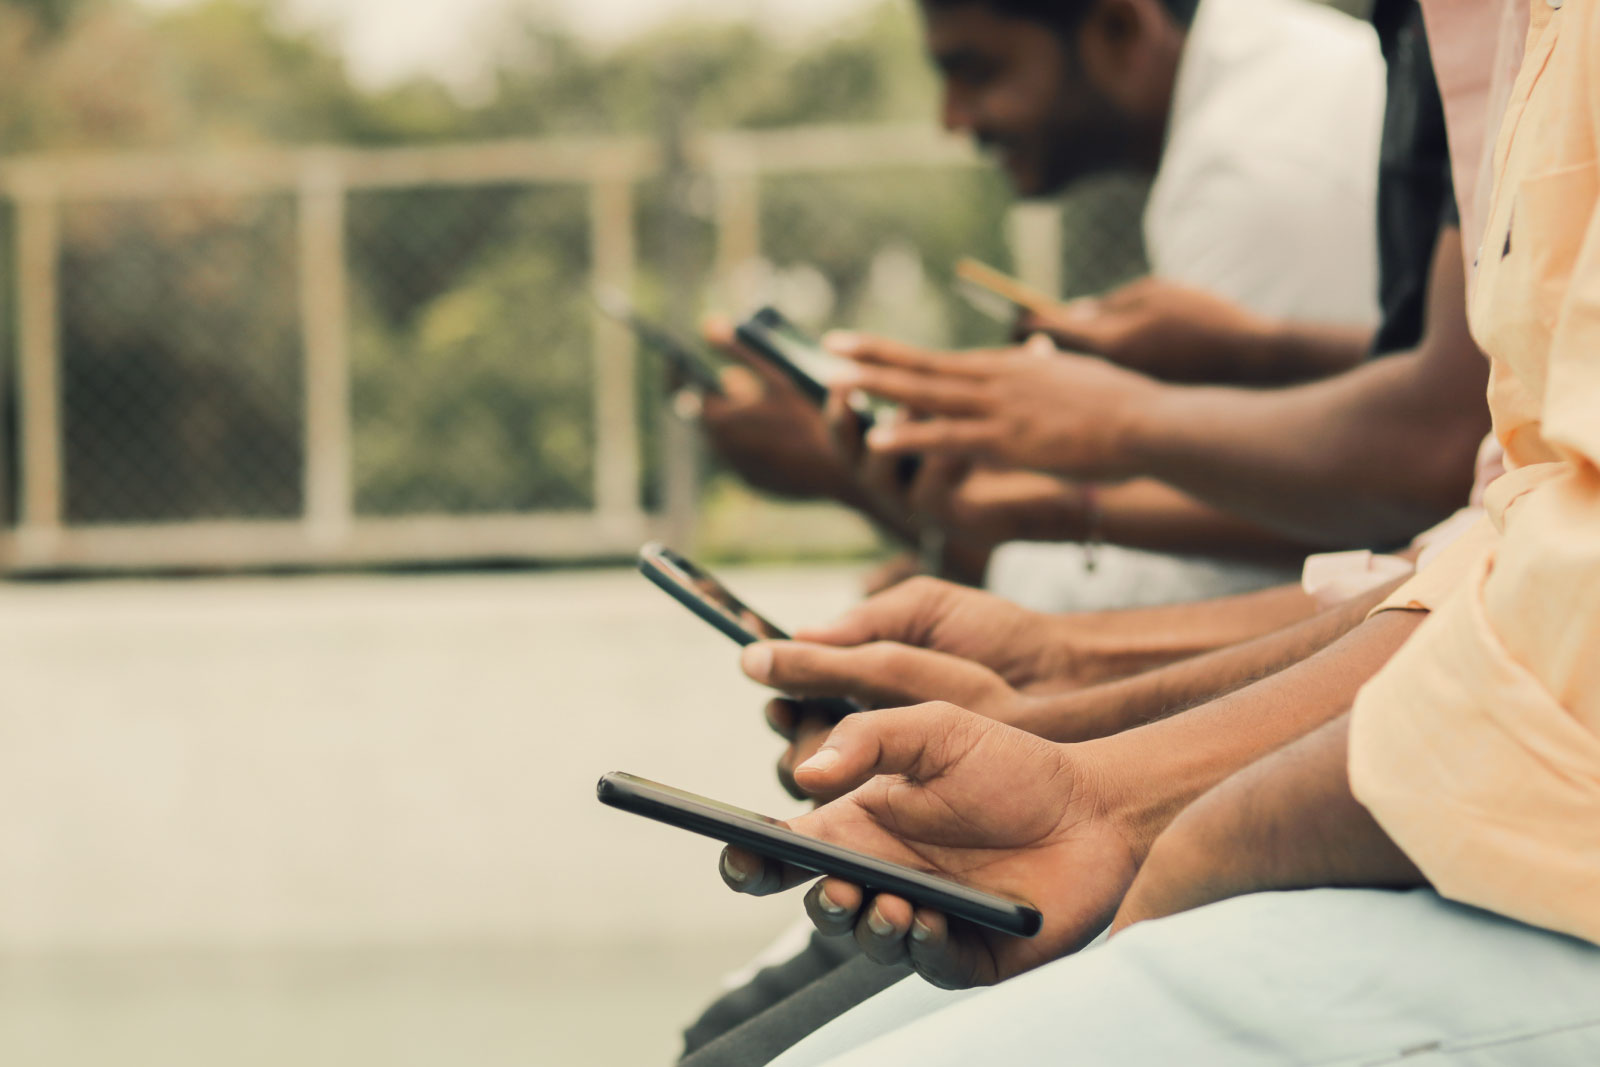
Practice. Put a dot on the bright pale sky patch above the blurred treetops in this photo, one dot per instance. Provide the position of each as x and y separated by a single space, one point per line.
386 41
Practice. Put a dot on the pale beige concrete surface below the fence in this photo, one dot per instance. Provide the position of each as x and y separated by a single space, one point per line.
351 820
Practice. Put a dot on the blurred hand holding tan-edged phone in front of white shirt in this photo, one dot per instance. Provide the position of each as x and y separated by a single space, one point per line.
1154 327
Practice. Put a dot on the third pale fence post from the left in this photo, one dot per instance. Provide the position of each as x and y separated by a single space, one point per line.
617 402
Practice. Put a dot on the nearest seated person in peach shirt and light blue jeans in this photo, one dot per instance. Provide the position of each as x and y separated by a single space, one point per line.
1470 769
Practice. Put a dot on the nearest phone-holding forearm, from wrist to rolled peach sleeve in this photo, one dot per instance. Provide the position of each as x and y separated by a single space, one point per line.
1170 764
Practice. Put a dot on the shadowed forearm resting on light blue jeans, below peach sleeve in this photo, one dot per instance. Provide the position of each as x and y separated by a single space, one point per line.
1289 821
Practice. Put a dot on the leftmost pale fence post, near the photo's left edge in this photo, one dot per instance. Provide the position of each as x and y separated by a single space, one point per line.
39 369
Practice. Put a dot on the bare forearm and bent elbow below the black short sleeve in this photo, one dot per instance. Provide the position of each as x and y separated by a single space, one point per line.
1366 458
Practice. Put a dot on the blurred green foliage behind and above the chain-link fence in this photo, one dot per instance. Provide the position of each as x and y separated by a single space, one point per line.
471 340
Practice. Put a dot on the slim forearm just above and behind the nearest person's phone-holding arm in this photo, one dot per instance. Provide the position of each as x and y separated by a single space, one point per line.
1132 703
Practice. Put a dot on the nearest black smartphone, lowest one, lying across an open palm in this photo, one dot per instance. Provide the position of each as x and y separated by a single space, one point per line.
770 837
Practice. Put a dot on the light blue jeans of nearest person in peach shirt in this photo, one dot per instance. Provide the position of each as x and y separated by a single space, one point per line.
1330 977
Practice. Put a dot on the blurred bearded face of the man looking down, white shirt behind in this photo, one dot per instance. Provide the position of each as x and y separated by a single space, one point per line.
1018 89
